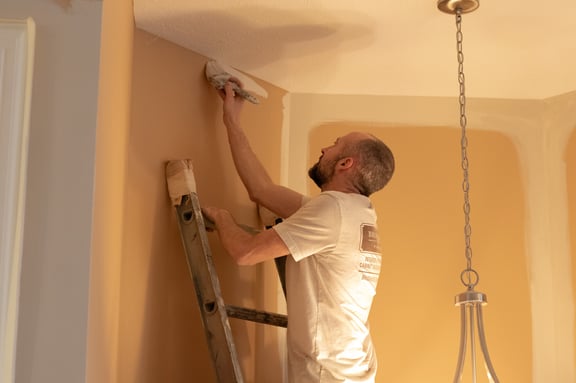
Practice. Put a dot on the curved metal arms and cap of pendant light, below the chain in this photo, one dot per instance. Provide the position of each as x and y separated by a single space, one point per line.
472 333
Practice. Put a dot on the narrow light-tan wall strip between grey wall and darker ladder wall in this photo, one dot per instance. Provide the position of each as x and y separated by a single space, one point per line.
110 171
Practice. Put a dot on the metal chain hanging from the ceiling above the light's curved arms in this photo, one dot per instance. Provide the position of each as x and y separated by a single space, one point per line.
469 276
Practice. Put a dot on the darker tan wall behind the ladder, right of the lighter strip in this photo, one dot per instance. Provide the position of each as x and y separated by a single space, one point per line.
176 114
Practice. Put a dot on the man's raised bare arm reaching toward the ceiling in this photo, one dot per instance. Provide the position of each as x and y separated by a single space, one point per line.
261 189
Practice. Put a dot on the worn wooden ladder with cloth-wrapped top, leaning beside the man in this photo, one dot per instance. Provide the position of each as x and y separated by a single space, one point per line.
214 312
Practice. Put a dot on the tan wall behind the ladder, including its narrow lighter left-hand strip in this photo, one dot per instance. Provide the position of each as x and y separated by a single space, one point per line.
156 105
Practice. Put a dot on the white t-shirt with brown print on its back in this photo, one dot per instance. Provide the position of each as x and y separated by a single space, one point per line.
331 280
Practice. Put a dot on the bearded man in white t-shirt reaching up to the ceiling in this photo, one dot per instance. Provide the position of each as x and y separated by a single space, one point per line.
334 262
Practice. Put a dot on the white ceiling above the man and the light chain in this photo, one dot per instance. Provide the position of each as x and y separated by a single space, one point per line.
524 49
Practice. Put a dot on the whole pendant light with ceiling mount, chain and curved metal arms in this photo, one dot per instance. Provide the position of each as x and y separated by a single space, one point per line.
470 301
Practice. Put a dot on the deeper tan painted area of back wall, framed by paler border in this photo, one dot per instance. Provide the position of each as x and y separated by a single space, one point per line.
414 322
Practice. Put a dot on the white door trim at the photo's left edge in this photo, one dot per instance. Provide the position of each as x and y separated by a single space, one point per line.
16 63
